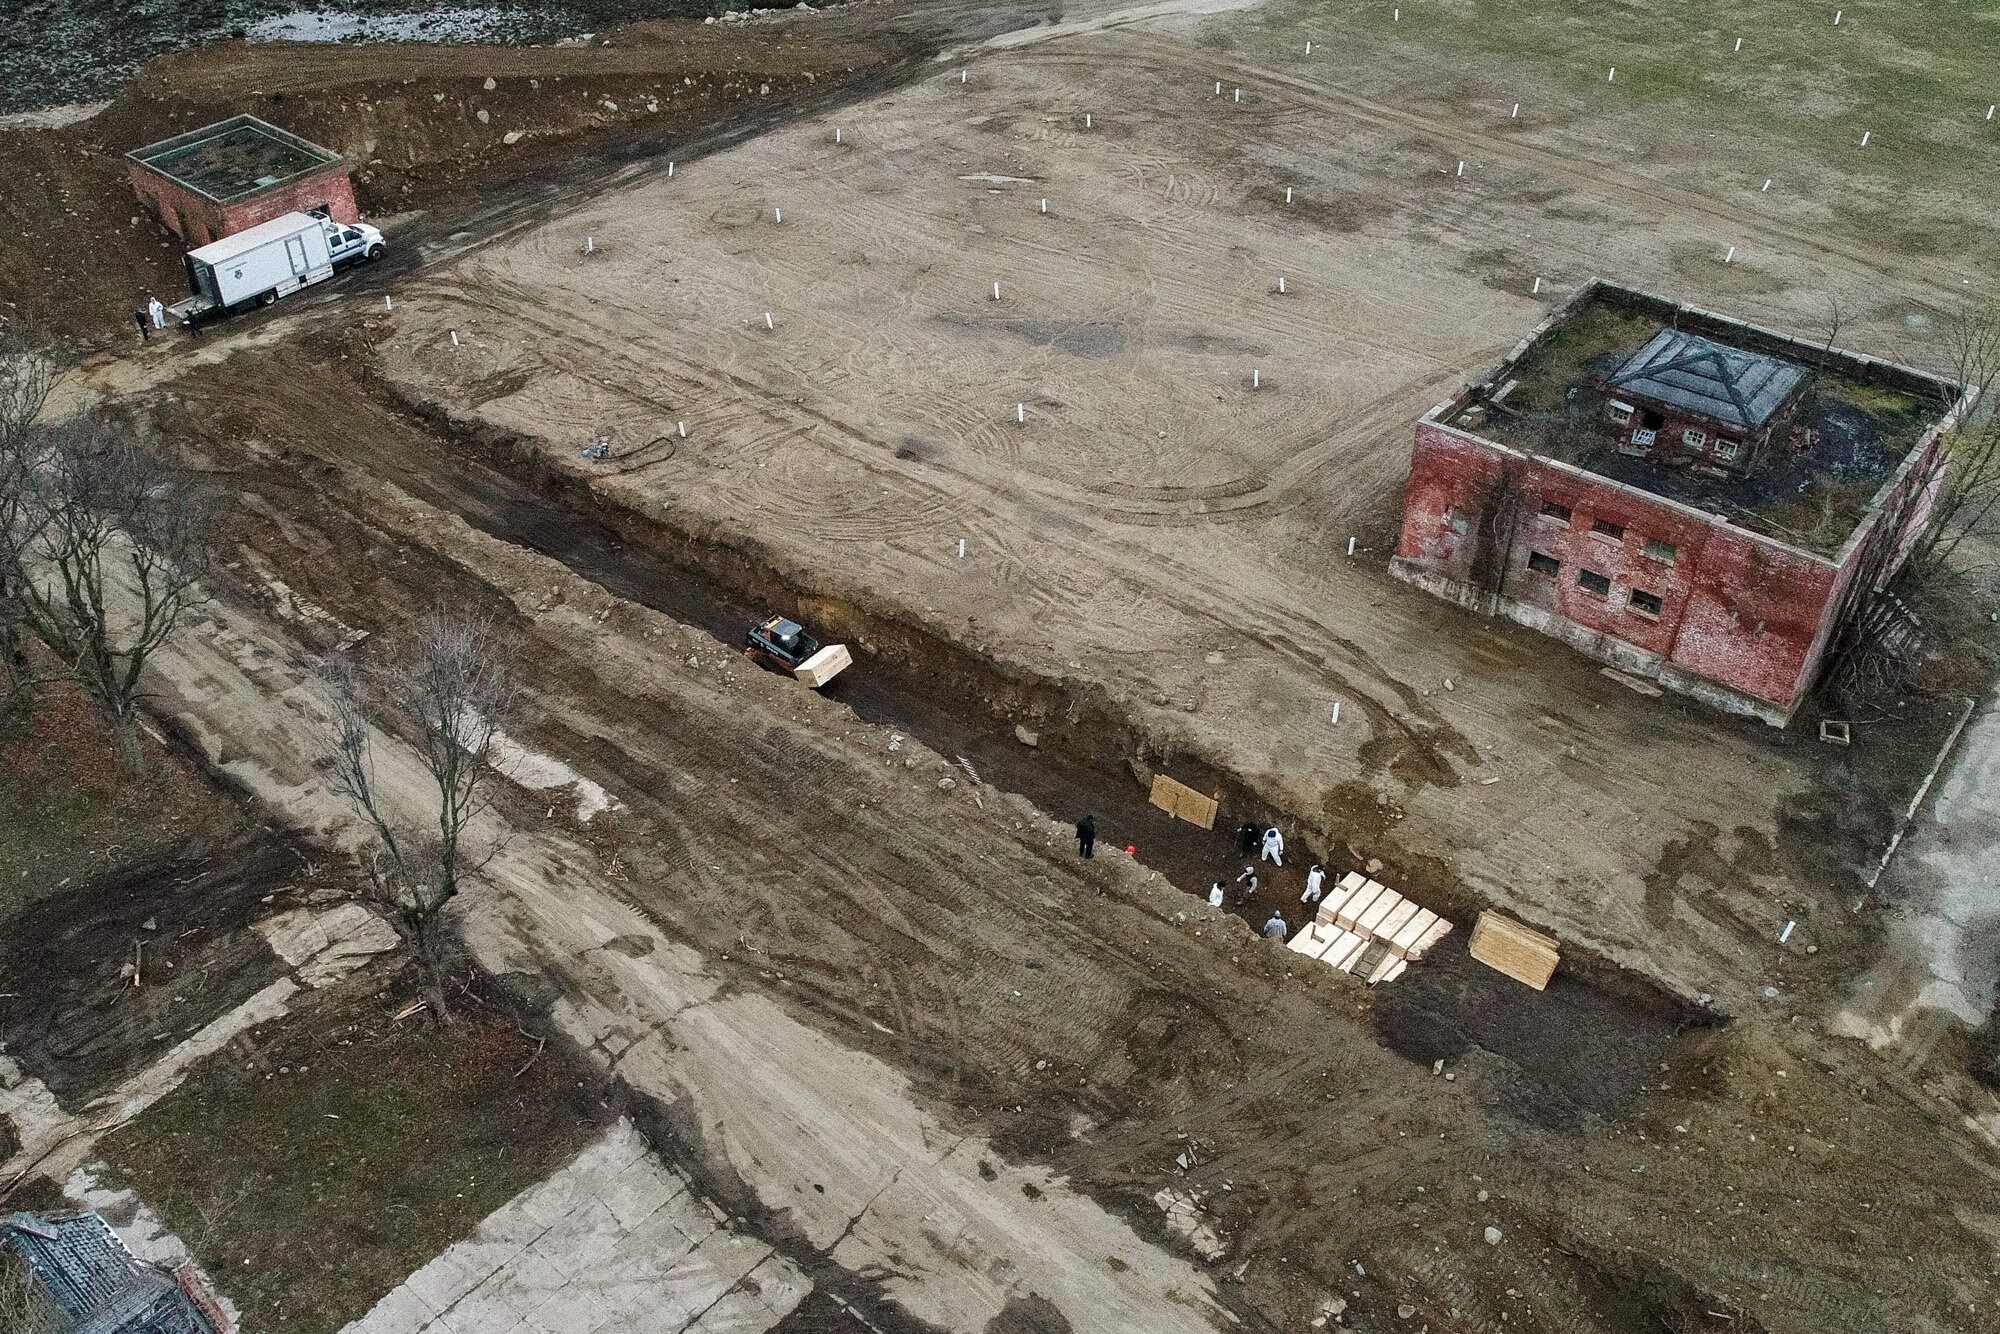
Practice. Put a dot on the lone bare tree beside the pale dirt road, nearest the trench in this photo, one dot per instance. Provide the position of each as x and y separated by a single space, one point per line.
449 691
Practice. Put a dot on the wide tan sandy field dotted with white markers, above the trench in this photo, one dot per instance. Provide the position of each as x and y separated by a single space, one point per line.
1135 513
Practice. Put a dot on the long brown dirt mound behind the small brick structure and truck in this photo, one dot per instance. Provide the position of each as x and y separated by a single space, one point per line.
425 127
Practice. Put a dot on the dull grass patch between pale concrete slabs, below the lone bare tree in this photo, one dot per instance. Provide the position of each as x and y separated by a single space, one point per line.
343 1151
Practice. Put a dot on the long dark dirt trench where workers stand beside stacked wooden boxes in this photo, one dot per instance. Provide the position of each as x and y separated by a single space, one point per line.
1563 1057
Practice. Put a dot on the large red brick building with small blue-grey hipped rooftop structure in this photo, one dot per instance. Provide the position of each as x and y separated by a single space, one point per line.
1721 577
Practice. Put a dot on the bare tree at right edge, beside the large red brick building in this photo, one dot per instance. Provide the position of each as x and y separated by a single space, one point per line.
1969 491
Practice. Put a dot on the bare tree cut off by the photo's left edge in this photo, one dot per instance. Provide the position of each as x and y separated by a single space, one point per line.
29 375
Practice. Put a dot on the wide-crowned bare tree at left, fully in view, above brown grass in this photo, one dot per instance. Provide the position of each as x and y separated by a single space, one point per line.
115 555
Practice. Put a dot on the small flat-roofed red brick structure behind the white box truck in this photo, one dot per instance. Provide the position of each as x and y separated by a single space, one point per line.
237 173
